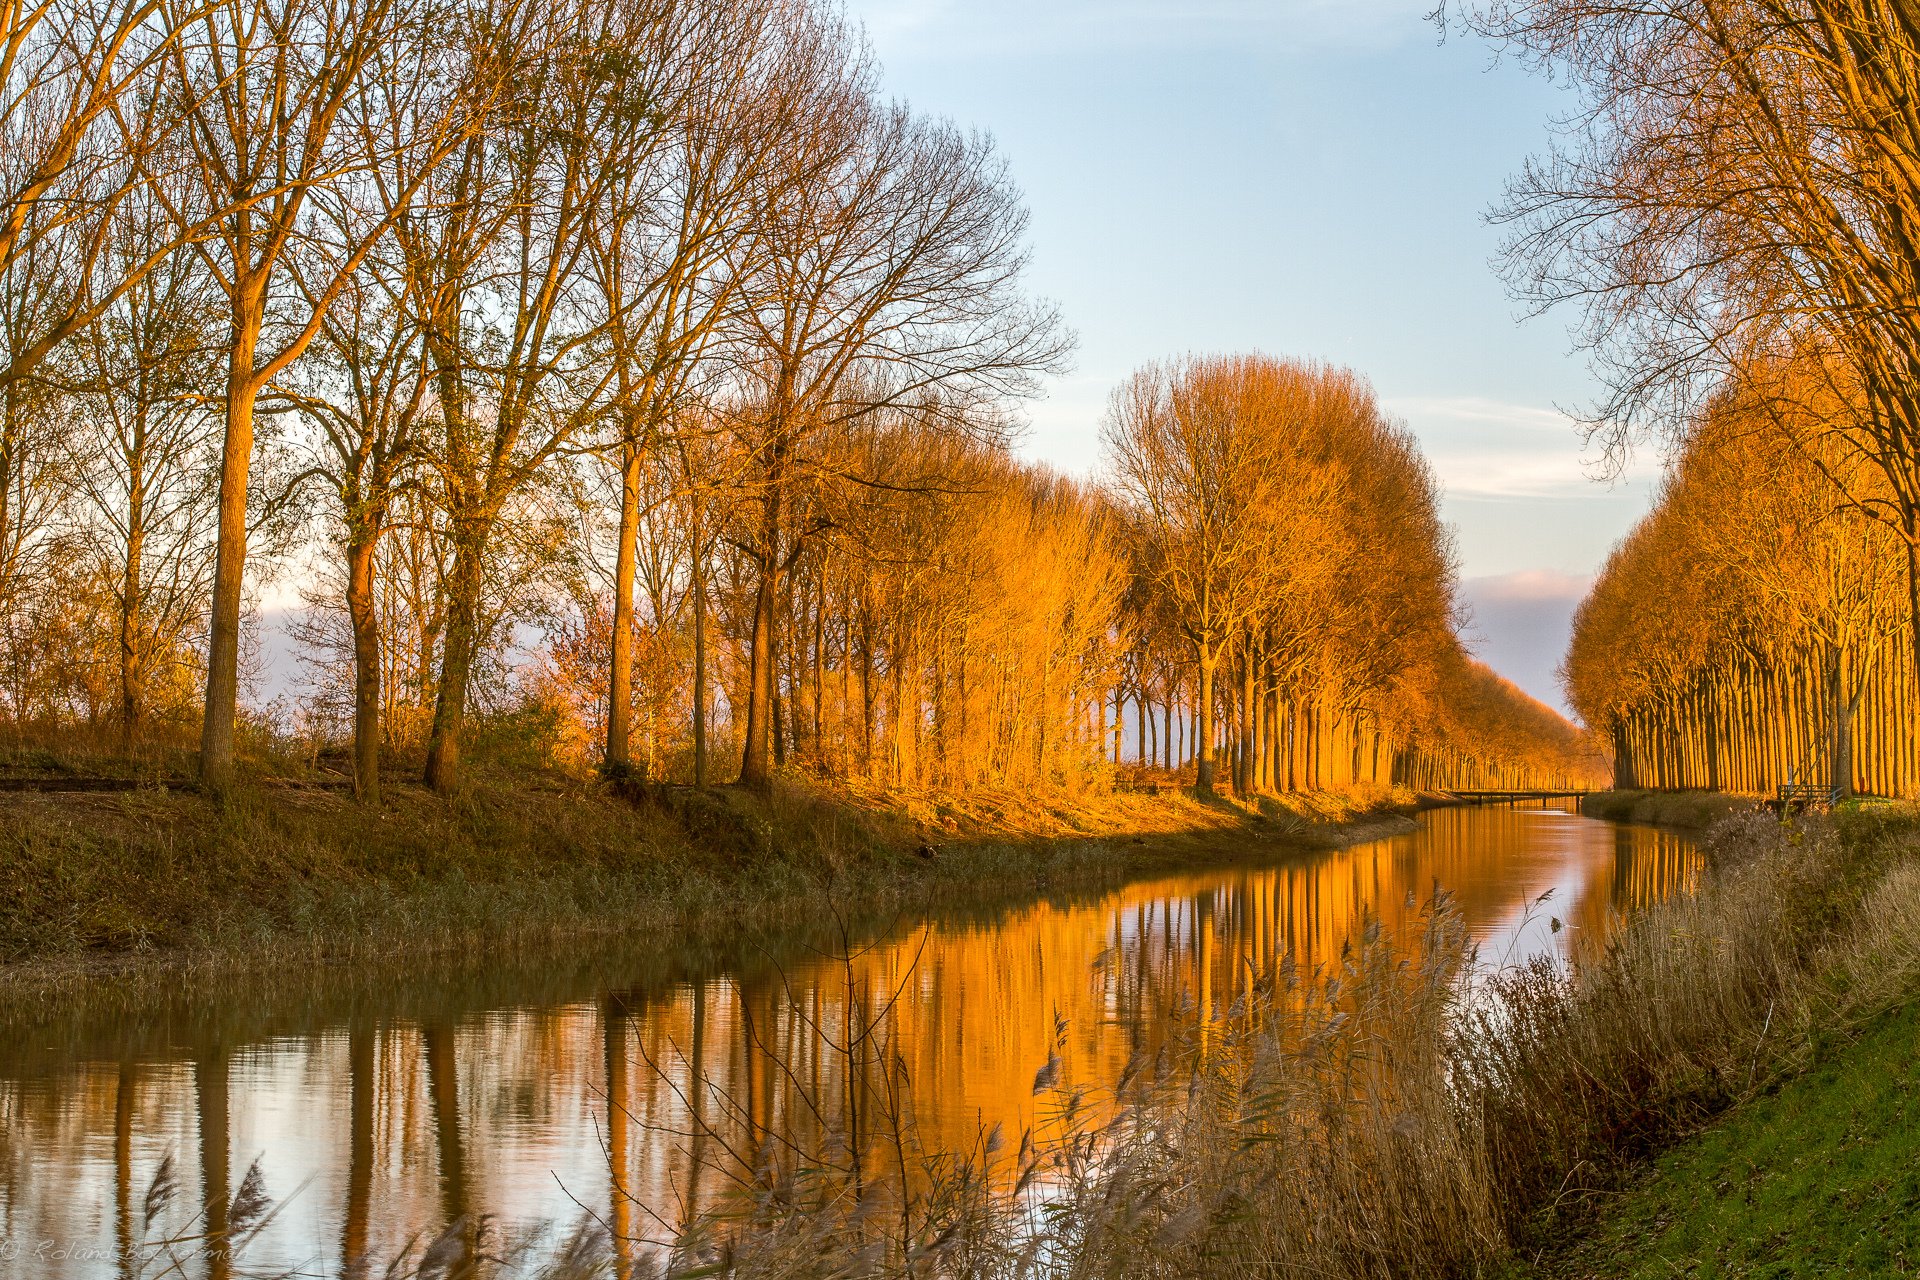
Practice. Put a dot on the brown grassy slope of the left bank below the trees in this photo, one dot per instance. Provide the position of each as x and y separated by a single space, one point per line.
118 880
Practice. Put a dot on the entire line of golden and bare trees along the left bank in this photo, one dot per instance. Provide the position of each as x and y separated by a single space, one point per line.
633 383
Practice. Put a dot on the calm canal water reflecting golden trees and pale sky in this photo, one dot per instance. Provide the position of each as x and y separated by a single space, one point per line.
381 1106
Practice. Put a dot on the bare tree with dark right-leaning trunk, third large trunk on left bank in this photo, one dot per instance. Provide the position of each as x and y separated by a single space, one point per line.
516 325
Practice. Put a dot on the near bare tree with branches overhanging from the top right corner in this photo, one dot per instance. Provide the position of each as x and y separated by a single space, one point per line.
1740 187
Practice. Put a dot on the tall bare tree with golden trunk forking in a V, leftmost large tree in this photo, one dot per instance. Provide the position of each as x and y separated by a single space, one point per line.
272 93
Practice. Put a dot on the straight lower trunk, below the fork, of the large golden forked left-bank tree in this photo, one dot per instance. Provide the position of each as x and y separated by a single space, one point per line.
229 561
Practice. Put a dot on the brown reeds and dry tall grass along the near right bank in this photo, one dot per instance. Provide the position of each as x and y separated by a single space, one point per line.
1495 1131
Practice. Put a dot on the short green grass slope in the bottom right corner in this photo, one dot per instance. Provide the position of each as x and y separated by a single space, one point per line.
1815 1179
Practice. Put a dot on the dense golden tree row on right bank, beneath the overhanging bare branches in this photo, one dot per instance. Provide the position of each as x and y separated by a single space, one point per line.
1752 632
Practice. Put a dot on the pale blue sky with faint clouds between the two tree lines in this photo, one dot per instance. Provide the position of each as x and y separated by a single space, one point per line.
1299 178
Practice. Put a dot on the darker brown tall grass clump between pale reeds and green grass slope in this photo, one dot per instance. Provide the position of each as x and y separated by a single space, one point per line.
1687 1010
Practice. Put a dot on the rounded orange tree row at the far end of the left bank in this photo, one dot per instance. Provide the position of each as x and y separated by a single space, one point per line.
1287 536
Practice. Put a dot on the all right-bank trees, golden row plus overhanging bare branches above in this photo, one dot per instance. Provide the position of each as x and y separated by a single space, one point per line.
1733 210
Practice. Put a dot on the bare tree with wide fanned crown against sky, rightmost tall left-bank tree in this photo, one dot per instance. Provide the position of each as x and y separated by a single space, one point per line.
884 279
